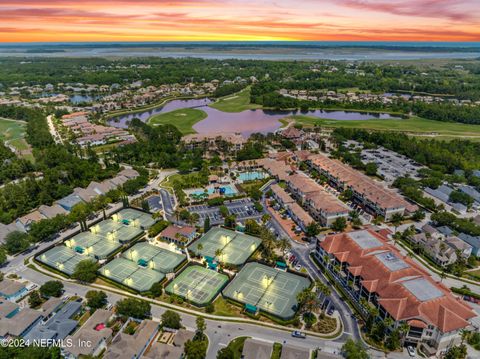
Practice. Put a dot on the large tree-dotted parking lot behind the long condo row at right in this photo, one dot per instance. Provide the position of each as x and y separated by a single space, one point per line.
391 165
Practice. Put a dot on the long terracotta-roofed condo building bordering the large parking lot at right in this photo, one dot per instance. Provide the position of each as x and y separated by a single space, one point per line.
367 192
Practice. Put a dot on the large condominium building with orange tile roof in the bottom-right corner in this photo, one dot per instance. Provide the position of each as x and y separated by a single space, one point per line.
373 271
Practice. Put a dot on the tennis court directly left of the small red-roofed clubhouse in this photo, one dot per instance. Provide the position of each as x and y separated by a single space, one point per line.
155 258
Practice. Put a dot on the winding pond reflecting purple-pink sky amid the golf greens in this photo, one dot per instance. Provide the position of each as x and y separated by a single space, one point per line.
245 122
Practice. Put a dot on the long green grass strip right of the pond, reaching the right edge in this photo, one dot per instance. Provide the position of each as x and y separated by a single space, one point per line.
414 125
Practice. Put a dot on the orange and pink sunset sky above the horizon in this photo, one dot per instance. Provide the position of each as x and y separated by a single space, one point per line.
195 20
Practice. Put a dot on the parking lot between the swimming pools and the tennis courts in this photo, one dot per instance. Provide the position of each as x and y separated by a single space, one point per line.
242 208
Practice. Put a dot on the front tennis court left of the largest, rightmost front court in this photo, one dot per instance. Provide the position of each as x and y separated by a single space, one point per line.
198 285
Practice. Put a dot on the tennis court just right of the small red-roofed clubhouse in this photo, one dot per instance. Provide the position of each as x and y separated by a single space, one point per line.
235 247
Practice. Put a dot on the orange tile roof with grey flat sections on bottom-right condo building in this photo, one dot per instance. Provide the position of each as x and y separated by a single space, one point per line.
407 291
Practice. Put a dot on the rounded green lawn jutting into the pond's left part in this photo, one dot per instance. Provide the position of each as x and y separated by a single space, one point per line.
183 119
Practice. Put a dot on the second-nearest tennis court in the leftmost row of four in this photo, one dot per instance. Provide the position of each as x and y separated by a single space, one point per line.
93 245
